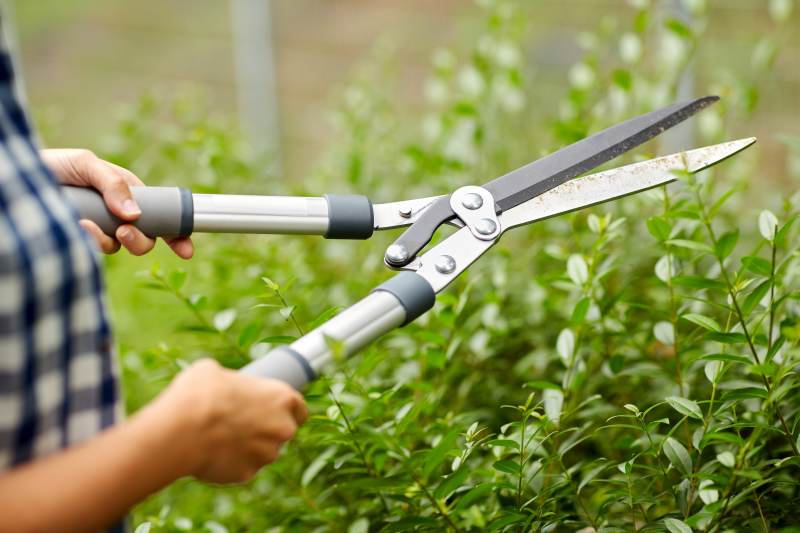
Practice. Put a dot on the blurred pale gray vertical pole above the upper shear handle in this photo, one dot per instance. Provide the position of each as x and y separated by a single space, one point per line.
254 62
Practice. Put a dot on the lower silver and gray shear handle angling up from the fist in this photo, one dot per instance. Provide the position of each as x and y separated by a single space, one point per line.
395 303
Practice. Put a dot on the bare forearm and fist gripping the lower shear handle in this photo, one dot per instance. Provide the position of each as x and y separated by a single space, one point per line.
212 423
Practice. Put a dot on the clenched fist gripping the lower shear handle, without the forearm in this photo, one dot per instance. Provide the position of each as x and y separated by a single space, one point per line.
231 424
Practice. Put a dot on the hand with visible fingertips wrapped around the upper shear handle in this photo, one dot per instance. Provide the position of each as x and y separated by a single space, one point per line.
83 168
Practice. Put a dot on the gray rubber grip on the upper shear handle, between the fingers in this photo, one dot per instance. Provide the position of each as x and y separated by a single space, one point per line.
166 211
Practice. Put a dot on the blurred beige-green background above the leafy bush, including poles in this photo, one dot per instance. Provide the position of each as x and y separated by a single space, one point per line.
273 66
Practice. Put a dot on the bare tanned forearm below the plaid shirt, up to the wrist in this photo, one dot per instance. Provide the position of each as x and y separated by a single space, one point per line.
90 486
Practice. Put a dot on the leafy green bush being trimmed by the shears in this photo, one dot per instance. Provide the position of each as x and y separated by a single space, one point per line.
631 366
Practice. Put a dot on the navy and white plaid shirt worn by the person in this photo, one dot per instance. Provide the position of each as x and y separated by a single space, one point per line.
58 380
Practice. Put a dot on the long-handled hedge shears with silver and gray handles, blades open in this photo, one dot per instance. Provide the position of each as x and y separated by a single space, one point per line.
545 188
